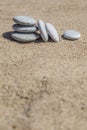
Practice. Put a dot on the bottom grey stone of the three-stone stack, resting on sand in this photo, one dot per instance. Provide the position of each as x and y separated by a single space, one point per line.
25 37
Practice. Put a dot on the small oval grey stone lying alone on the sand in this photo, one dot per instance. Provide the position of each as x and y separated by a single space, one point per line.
71 35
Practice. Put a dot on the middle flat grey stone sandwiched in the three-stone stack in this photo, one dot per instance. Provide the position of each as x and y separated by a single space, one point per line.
24 29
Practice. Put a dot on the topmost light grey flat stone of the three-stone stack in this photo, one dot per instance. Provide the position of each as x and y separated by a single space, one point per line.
24 20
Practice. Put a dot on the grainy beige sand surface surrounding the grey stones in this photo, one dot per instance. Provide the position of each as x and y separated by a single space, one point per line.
43 86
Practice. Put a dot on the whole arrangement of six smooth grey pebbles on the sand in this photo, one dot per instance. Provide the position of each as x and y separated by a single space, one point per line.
27 29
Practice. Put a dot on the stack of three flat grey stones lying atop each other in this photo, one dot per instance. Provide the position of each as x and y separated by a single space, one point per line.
25 29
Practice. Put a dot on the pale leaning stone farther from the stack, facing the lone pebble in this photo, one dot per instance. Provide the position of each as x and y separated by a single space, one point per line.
52 32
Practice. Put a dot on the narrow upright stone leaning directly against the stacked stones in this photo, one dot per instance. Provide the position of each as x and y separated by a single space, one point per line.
43 32
